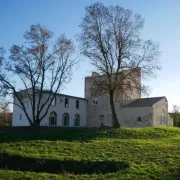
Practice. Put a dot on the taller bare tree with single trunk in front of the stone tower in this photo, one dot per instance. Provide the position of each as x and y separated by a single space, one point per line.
110 39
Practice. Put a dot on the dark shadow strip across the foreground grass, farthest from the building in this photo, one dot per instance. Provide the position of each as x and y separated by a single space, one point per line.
60 166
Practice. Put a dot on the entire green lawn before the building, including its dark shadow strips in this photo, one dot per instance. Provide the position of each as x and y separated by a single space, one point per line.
138 153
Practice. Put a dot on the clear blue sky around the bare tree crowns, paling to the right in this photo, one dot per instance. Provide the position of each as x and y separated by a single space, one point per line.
162 24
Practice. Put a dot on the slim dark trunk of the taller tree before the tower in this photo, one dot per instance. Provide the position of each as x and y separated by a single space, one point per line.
114 117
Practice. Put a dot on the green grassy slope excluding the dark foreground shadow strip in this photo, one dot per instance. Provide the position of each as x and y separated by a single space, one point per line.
153 153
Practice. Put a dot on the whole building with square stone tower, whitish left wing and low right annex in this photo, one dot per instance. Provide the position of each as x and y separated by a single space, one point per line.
94 110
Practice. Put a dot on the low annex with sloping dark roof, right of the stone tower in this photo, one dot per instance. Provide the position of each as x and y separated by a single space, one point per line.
145 112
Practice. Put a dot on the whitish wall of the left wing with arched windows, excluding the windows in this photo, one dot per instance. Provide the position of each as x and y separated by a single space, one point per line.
19 118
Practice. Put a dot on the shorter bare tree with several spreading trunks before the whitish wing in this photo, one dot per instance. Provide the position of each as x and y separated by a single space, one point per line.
36 67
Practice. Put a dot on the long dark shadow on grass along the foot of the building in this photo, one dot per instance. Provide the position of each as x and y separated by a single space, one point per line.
17 134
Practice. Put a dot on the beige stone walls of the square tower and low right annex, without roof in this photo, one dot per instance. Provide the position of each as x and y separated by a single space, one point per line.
99 109
